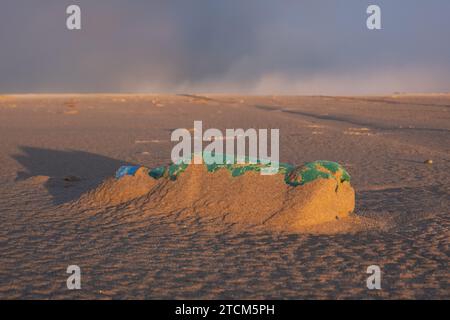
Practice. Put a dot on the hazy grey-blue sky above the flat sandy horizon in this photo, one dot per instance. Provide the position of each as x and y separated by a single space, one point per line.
247 46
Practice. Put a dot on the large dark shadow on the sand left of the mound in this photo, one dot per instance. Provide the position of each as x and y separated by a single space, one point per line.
66 174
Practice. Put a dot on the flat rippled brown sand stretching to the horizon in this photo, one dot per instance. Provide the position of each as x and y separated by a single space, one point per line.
57 153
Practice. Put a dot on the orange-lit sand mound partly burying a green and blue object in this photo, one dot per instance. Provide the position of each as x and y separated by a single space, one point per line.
296 197
